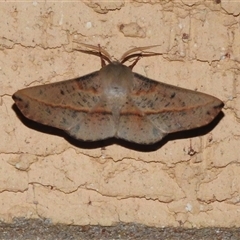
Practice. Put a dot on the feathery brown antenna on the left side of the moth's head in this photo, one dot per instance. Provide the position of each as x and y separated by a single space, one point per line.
98 51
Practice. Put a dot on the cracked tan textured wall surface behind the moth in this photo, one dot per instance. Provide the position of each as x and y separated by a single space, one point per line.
189 179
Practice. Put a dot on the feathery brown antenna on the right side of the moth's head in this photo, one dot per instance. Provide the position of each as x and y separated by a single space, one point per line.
132 53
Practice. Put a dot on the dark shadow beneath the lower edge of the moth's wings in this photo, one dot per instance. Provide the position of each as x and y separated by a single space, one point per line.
107 142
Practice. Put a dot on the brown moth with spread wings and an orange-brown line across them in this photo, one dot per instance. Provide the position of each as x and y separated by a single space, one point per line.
116 102
